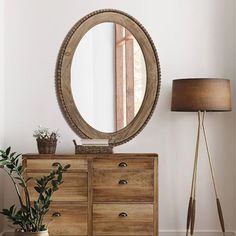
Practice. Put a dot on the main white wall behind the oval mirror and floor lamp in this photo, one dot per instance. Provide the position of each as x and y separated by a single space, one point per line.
194 38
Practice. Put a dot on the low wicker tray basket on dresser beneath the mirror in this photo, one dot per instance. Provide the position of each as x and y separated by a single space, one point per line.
83 149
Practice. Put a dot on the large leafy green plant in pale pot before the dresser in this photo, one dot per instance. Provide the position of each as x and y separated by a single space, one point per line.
29 215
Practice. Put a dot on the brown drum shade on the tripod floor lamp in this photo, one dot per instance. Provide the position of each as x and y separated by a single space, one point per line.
201 94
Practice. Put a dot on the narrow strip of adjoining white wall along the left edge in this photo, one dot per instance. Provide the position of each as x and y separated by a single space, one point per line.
1 99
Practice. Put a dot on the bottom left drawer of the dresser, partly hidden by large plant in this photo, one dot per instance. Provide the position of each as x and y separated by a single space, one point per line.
67 219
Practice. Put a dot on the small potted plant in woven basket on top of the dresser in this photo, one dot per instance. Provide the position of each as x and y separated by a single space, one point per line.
46 140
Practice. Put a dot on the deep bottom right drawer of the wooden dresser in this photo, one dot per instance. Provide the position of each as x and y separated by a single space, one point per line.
123 219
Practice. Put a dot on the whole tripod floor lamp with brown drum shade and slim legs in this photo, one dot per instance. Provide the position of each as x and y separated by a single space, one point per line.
201 95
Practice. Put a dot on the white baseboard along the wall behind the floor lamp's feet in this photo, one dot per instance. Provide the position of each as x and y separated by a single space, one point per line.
197 233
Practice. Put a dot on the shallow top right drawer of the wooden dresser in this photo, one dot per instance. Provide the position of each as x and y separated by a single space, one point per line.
123 164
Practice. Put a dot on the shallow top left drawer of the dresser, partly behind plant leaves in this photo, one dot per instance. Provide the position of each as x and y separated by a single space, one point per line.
36 165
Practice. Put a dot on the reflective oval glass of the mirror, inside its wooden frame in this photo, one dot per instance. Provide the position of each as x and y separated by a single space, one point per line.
108 77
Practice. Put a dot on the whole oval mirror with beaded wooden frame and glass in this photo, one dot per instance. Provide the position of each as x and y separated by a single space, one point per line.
107 76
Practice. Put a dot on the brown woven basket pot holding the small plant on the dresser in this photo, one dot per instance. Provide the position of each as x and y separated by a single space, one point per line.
46 146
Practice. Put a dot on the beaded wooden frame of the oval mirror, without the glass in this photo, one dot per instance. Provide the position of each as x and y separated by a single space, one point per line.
63 76
